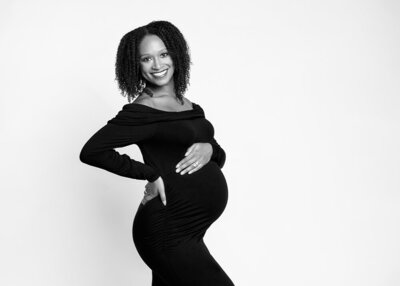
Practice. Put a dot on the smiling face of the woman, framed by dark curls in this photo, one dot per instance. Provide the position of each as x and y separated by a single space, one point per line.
155 62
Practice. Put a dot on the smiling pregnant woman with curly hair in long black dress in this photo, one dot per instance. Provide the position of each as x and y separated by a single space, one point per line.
186 190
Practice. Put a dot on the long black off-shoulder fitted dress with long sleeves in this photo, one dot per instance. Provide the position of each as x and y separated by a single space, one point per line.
168 238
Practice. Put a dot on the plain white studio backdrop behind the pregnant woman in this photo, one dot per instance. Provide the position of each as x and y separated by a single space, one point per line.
304 98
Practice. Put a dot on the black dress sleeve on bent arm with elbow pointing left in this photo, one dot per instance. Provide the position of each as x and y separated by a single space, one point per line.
99 151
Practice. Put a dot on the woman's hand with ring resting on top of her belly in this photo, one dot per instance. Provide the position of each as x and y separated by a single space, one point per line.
197 155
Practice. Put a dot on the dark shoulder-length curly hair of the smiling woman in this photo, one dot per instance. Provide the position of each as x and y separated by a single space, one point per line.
127 66
